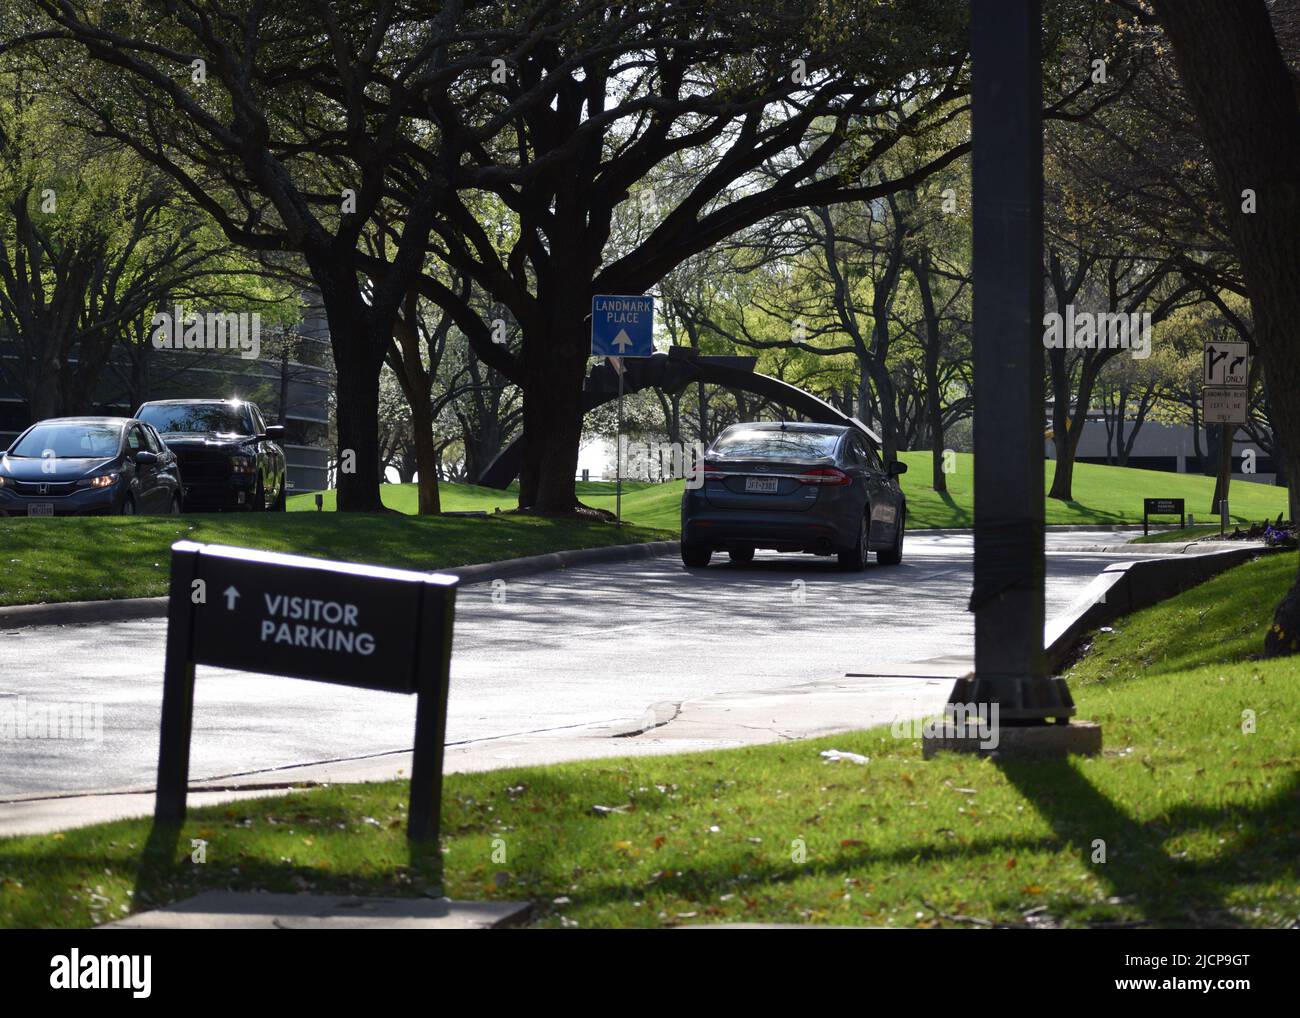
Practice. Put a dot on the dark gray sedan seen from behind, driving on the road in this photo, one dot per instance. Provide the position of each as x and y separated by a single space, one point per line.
812 488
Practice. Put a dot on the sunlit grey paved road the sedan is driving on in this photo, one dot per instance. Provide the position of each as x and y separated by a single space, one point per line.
564 649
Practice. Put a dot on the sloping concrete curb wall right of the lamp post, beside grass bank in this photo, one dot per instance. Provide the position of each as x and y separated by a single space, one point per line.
1126 587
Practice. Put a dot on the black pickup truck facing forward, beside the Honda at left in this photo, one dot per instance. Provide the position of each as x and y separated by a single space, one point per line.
228 454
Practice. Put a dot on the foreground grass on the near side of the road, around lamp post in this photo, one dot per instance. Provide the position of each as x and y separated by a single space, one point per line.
1198 818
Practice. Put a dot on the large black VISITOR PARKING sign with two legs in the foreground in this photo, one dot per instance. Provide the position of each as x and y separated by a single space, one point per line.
332 622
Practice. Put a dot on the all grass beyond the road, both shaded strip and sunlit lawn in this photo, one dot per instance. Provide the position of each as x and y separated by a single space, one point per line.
49 561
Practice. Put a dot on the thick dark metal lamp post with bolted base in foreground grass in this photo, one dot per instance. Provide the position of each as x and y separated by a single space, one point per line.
1007 176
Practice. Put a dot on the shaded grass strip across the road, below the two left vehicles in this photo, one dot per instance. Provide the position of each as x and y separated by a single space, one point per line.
96 558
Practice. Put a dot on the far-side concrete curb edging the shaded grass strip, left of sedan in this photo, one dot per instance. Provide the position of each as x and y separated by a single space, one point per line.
83 613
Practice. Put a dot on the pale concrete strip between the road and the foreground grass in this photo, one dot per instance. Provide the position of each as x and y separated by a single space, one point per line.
721 721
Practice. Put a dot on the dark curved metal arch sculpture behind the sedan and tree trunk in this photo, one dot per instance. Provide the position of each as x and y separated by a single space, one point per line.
673 372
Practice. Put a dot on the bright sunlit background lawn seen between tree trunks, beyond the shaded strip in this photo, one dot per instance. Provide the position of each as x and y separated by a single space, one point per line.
1103 496
